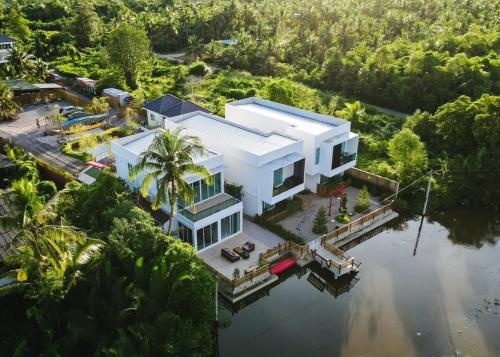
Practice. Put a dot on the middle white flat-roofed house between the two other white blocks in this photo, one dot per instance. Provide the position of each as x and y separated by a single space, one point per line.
268 165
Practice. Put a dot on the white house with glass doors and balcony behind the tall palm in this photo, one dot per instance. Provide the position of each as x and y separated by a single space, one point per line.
215 215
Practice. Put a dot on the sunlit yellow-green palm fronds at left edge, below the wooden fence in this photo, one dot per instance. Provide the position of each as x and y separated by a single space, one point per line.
48 253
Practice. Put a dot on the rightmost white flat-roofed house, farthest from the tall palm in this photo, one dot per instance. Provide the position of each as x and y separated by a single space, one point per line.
329 147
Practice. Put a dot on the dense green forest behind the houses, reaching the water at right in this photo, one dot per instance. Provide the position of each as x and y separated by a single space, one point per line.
416 56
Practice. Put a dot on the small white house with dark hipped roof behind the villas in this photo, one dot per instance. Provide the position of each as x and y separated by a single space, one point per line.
168 106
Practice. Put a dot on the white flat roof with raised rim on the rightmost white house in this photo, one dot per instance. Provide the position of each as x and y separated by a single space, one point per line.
302 120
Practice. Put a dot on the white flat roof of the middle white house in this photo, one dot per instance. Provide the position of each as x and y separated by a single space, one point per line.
232 134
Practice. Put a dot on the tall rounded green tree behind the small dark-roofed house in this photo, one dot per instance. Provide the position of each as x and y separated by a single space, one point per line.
129 48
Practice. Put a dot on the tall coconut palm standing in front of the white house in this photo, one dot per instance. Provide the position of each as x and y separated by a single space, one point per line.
168 160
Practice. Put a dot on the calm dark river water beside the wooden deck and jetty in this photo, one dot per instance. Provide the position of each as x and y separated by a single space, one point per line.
441 298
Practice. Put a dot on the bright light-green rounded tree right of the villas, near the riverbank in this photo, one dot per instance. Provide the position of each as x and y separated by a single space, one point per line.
408 154
